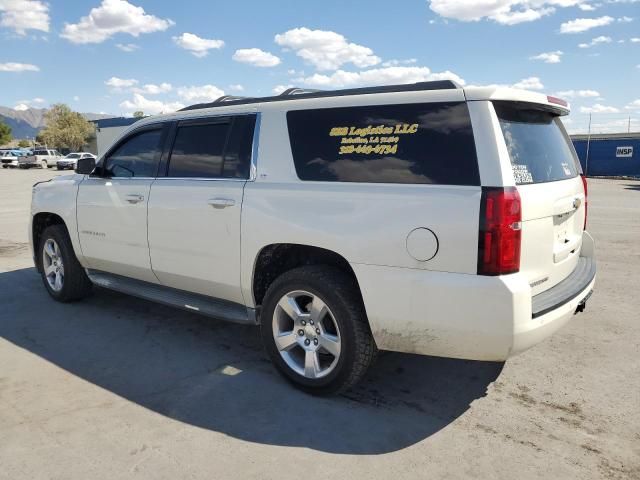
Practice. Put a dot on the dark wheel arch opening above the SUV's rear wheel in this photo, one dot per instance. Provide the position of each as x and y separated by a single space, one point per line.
275 259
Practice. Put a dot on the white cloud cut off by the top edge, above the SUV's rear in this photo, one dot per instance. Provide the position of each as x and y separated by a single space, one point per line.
506 12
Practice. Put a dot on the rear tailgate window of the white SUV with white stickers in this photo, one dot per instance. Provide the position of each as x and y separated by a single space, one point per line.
539 148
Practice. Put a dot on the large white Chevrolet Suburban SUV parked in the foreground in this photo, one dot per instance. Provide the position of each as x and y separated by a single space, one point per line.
421 218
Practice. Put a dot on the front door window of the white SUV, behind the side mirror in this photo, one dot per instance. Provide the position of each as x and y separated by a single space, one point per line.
138 156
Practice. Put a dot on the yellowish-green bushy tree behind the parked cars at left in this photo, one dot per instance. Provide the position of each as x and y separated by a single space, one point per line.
65 128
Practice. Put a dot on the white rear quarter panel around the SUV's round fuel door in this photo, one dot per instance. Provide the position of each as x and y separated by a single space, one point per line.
366 223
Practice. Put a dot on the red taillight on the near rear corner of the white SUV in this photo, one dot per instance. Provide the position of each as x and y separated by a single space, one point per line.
500 231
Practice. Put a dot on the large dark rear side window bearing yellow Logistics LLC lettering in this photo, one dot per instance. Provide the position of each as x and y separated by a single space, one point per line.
414 143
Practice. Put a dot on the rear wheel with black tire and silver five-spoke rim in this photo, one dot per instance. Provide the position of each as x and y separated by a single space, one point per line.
344 321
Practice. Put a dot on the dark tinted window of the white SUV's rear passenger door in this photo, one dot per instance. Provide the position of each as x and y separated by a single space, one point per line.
217 149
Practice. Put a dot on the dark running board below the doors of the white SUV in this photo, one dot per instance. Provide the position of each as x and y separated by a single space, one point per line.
192 302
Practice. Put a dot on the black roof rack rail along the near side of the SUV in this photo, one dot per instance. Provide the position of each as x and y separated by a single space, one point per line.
301 94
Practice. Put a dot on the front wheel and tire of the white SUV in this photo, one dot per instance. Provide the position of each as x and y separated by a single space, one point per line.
61 262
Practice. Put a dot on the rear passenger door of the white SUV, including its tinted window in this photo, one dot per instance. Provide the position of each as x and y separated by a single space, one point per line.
194 211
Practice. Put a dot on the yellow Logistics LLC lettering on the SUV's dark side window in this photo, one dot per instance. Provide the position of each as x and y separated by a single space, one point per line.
379 140
